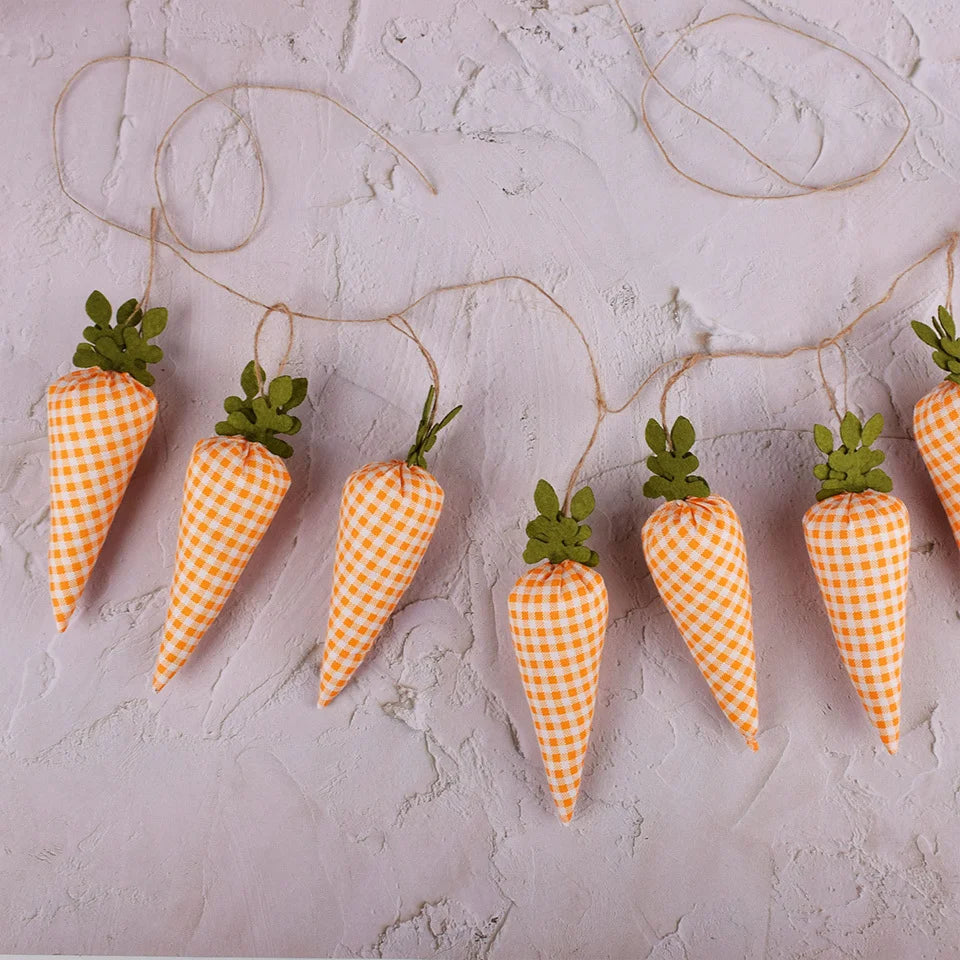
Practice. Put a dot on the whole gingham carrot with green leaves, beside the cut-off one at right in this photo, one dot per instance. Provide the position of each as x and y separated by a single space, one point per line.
858 538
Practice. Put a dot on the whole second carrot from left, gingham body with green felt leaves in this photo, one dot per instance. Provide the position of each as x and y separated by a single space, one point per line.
234 486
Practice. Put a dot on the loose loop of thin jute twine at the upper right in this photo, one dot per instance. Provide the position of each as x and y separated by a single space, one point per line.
801 189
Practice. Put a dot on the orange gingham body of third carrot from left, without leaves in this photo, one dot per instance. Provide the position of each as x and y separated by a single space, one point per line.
388 513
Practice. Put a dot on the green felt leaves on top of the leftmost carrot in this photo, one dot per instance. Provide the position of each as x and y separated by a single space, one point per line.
123 347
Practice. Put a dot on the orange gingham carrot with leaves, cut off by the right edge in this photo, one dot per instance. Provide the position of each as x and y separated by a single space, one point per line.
936 417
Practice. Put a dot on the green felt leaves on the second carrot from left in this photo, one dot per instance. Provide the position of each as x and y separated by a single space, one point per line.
259 416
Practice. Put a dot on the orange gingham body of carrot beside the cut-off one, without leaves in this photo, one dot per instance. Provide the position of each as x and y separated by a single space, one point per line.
859 546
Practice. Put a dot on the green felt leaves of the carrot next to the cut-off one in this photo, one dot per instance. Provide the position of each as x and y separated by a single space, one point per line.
853 466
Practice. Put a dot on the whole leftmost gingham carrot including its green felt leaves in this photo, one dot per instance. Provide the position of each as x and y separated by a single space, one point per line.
99 419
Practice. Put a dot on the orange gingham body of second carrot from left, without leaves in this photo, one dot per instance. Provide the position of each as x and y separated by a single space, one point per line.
232 492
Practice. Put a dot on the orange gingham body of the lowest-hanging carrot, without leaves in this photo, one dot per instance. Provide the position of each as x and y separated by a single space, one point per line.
558 618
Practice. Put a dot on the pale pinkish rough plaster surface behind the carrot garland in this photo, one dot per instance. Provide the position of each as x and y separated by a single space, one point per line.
228 815
